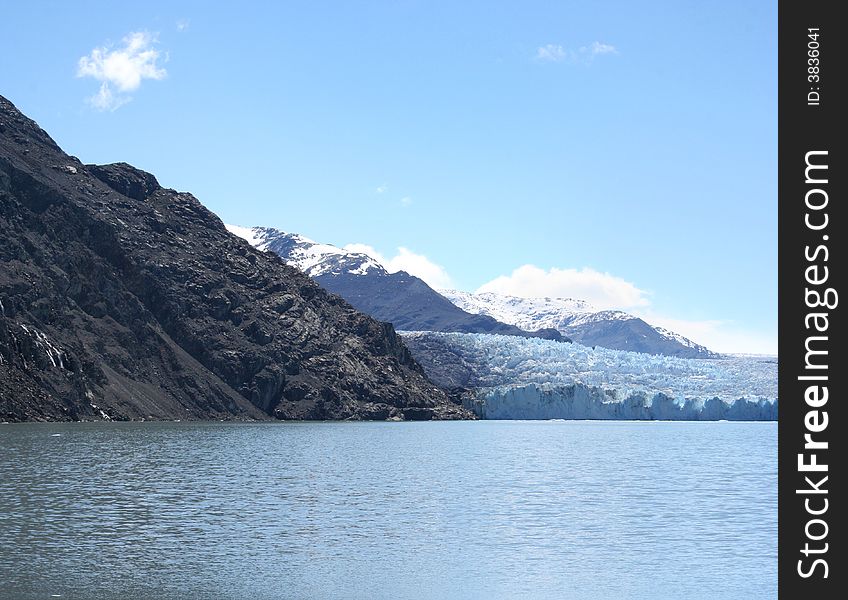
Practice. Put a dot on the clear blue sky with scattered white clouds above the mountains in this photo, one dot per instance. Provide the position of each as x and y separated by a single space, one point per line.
622 151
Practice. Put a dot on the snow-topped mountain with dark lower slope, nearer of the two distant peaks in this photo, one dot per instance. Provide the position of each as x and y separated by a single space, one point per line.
402 299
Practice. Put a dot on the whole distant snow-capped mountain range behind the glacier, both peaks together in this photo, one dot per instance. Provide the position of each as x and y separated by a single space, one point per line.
410 304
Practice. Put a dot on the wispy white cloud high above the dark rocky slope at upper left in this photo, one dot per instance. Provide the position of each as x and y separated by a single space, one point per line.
121 69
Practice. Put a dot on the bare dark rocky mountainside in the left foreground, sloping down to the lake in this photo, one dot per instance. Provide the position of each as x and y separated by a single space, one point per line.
120 299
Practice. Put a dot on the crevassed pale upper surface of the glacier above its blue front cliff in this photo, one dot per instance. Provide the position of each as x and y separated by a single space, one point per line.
504 363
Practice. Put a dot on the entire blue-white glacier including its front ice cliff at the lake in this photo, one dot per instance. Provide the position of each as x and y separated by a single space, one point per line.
519 378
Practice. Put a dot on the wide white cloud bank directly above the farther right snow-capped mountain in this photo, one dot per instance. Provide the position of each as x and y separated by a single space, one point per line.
602 290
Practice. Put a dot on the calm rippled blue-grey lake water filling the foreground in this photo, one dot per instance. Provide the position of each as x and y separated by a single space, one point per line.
595 510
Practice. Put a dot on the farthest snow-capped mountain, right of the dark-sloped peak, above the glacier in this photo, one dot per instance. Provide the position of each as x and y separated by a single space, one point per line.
582 322
